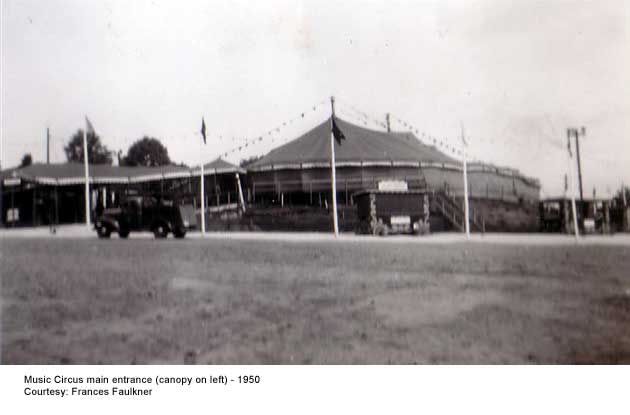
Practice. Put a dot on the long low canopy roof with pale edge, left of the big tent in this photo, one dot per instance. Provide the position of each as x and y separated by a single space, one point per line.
73 173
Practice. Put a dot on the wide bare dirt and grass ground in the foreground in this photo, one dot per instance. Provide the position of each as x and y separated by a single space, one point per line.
237 301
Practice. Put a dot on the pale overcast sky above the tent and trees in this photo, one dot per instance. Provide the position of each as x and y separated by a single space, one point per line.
515 73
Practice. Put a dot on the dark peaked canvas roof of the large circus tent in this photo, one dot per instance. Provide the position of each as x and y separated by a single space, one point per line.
362 146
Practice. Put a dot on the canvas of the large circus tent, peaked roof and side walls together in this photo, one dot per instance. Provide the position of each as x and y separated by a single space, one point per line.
367 156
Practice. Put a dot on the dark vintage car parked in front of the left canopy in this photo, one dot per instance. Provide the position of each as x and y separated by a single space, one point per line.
146 213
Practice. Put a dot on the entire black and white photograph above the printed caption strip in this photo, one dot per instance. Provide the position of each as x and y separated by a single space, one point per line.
315 182
